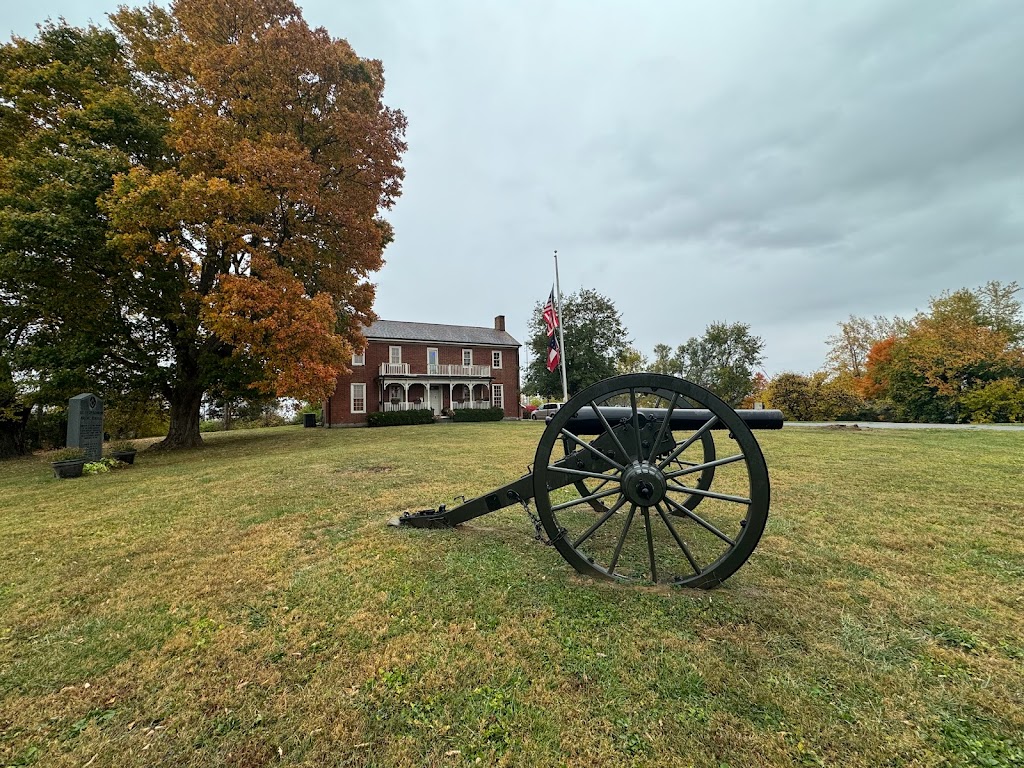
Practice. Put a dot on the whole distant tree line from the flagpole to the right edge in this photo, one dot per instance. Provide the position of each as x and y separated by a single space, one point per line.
960 361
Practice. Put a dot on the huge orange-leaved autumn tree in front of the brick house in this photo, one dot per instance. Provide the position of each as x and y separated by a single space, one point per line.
234 232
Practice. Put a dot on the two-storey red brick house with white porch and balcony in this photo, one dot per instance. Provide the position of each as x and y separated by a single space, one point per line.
410 366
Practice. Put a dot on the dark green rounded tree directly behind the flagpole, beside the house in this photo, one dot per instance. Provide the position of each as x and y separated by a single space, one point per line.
596 345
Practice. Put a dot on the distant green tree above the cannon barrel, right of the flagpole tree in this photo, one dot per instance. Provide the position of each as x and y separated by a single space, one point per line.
724 360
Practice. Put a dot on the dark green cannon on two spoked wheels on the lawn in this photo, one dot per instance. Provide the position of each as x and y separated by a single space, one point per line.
643 479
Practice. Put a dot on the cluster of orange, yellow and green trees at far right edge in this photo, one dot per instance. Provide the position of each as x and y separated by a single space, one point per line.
960 361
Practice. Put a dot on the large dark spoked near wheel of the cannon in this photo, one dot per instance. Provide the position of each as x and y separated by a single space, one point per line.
638 539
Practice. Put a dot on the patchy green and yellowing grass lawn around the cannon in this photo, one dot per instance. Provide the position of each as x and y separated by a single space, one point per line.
245 605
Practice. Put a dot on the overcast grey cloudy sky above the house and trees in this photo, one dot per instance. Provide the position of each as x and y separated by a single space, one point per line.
784 165
